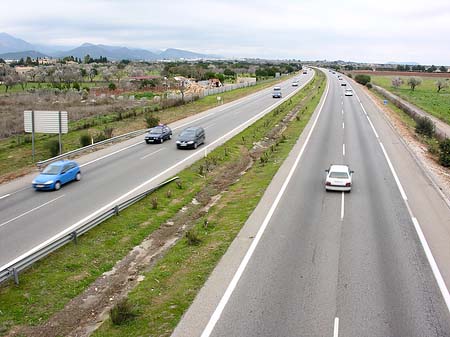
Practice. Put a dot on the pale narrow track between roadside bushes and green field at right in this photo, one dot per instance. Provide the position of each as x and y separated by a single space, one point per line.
413 111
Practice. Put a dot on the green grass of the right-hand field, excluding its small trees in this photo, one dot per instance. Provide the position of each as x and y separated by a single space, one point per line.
425 96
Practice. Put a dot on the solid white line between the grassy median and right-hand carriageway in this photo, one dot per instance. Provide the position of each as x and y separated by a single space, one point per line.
228 292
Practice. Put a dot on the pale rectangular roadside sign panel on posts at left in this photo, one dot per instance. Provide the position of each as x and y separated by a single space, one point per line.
46 121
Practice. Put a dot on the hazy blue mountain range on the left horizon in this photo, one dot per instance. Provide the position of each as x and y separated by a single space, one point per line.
15 48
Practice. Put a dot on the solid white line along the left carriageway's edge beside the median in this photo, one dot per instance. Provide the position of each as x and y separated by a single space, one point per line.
117 200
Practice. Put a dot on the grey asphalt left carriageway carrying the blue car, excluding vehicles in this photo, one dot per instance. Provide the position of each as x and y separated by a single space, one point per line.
29 218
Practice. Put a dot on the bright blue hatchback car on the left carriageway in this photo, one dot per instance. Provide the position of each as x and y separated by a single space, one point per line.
57 174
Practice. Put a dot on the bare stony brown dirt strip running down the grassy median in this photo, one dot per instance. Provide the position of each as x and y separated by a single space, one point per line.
85 313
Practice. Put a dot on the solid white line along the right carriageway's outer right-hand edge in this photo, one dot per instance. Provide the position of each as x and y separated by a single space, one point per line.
434 267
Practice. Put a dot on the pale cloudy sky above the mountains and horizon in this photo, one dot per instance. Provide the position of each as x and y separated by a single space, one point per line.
351 30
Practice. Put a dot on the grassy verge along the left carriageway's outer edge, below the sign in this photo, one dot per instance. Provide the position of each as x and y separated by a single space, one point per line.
16 153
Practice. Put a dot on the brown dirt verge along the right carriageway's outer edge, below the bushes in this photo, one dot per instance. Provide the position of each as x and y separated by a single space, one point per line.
438 173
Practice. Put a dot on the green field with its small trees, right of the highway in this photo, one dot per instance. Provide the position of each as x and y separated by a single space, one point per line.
429 94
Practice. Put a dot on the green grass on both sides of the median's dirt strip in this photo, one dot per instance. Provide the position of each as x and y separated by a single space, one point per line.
170 286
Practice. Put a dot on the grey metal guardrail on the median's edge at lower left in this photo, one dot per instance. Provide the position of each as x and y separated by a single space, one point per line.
12 270
